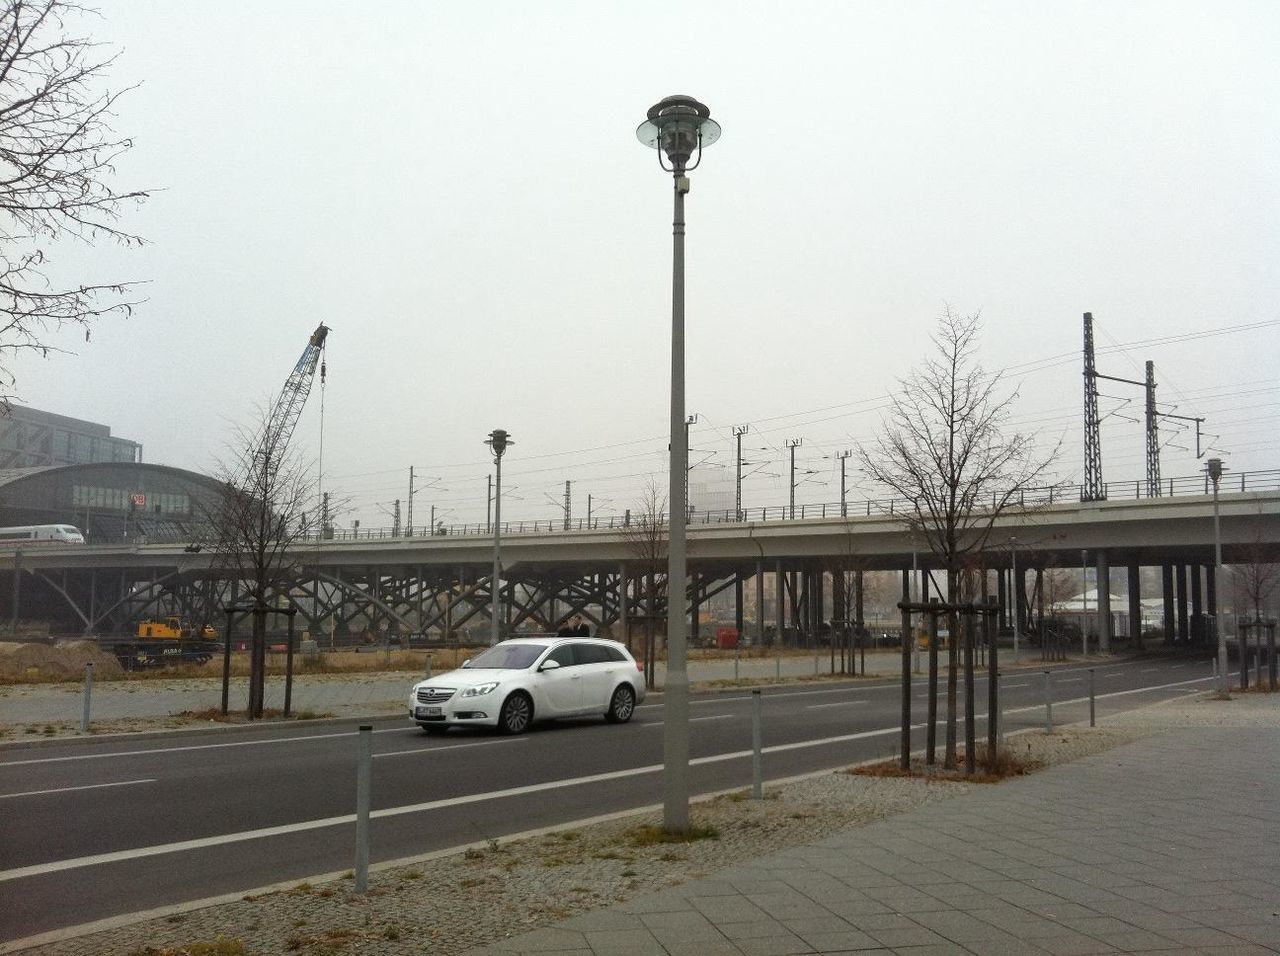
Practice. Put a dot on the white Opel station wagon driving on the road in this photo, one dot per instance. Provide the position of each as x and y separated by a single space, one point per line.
516 683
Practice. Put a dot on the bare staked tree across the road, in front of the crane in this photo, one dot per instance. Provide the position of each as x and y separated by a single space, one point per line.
257 523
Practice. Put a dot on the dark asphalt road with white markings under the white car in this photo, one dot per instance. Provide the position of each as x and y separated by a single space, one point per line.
90 831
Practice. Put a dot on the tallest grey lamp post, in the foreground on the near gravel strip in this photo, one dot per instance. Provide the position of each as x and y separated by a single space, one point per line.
679 127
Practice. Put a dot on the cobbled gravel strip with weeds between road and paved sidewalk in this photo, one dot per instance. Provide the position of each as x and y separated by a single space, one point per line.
472 896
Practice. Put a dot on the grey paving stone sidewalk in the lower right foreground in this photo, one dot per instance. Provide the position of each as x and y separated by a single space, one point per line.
1168 845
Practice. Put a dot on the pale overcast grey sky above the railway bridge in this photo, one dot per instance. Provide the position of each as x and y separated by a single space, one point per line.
458 191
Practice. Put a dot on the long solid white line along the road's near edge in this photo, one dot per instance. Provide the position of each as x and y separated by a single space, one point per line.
161 849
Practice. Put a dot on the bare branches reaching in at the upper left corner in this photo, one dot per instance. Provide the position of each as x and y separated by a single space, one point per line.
58 157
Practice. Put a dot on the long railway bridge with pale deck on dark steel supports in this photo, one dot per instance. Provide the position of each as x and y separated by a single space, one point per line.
437 588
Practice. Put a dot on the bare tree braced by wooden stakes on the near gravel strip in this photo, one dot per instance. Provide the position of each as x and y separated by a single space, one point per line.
945 449
